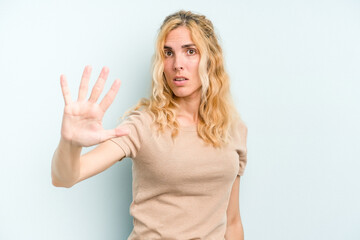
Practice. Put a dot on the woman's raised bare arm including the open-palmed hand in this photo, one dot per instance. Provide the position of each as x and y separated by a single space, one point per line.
82 127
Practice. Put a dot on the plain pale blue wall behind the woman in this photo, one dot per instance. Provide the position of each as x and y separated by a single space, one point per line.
295 70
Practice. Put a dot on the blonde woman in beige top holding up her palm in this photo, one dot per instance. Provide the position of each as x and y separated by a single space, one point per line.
187 142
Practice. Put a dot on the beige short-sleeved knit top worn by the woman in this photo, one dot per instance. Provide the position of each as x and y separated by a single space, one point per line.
181 187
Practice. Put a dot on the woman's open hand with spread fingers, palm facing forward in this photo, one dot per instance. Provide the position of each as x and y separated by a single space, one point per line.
82 119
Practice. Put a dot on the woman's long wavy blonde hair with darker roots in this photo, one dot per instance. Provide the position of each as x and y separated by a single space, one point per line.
216 111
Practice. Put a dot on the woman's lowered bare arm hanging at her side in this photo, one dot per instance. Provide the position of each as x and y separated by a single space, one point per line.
234 228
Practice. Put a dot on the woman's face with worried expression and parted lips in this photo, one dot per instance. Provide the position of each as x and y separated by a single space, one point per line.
181 64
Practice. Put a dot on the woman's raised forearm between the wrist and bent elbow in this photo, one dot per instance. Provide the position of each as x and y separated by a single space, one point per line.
65 166
